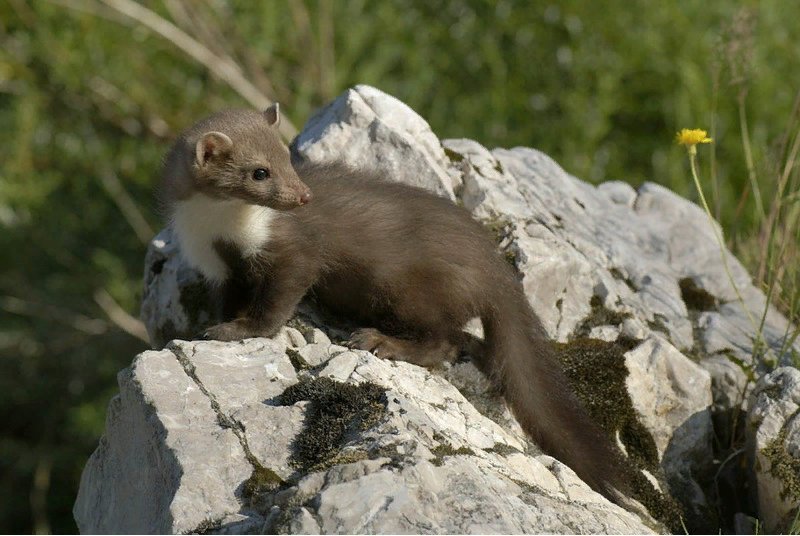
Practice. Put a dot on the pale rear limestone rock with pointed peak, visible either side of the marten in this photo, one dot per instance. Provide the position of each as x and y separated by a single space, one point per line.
570 240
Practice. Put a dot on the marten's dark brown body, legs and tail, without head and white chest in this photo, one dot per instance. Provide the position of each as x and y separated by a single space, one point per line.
413 268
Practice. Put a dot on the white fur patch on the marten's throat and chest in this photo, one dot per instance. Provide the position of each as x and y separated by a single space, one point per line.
200 220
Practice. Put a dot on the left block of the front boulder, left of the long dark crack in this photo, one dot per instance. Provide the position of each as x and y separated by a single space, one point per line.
165 463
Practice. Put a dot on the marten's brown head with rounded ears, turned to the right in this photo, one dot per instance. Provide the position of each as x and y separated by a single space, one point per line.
238 154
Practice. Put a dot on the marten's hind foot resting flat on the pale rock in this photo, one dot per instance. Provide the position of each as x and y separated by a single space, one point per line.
425 353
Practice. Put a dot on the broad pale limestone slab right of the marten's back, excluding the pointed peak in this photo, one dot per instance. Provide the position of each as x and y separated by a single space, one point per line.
632 248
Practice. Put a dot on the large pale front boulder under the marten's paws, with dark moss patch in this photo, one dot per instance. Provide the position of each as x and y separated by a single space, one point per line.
196 420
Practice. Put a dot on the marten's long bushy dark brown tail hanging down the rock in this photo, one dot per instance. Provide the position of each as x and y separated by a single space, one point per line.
521 363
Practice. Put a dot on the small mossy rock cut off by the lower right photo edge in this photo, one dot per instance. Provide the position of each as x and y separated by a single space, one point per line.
773 439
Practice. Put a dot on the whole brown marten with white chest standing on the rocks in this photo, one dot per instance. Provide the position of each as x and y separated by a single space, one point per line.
410 267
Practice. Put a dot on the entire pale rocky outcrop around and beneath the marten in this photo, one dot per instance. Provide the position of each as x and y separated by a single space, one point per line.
300 434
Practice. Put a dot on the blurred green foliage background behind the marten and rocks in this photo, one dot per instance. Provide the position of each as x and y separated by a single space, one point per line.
89 101
